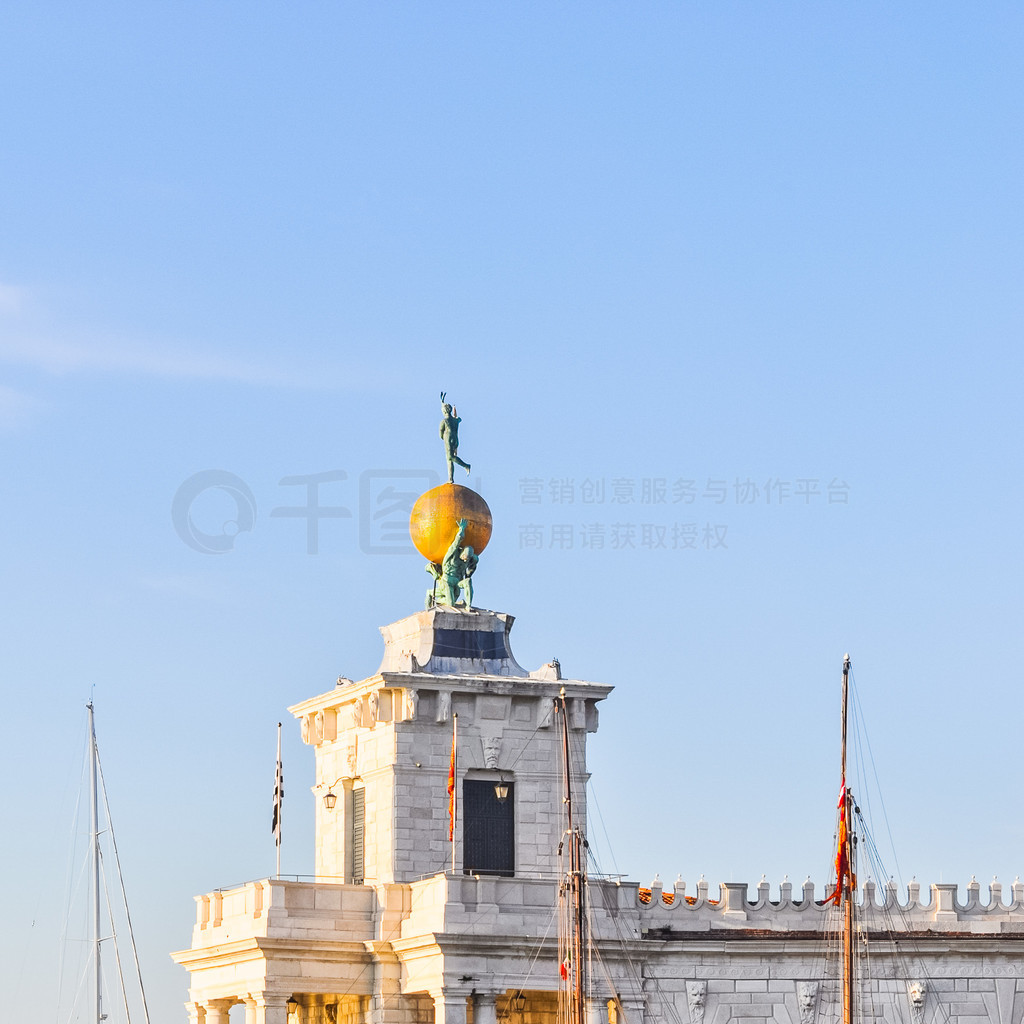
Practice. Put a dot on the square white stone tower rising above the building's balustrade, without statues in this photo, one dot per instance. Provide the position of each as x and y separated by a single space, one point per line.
383 751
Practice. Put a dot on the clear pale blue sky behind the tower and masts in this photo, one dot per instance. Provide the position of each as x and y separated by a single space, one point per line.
774 249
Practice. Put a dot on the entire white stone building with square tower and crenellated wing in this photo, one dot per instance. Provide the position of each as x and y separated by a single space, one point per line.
393 932
